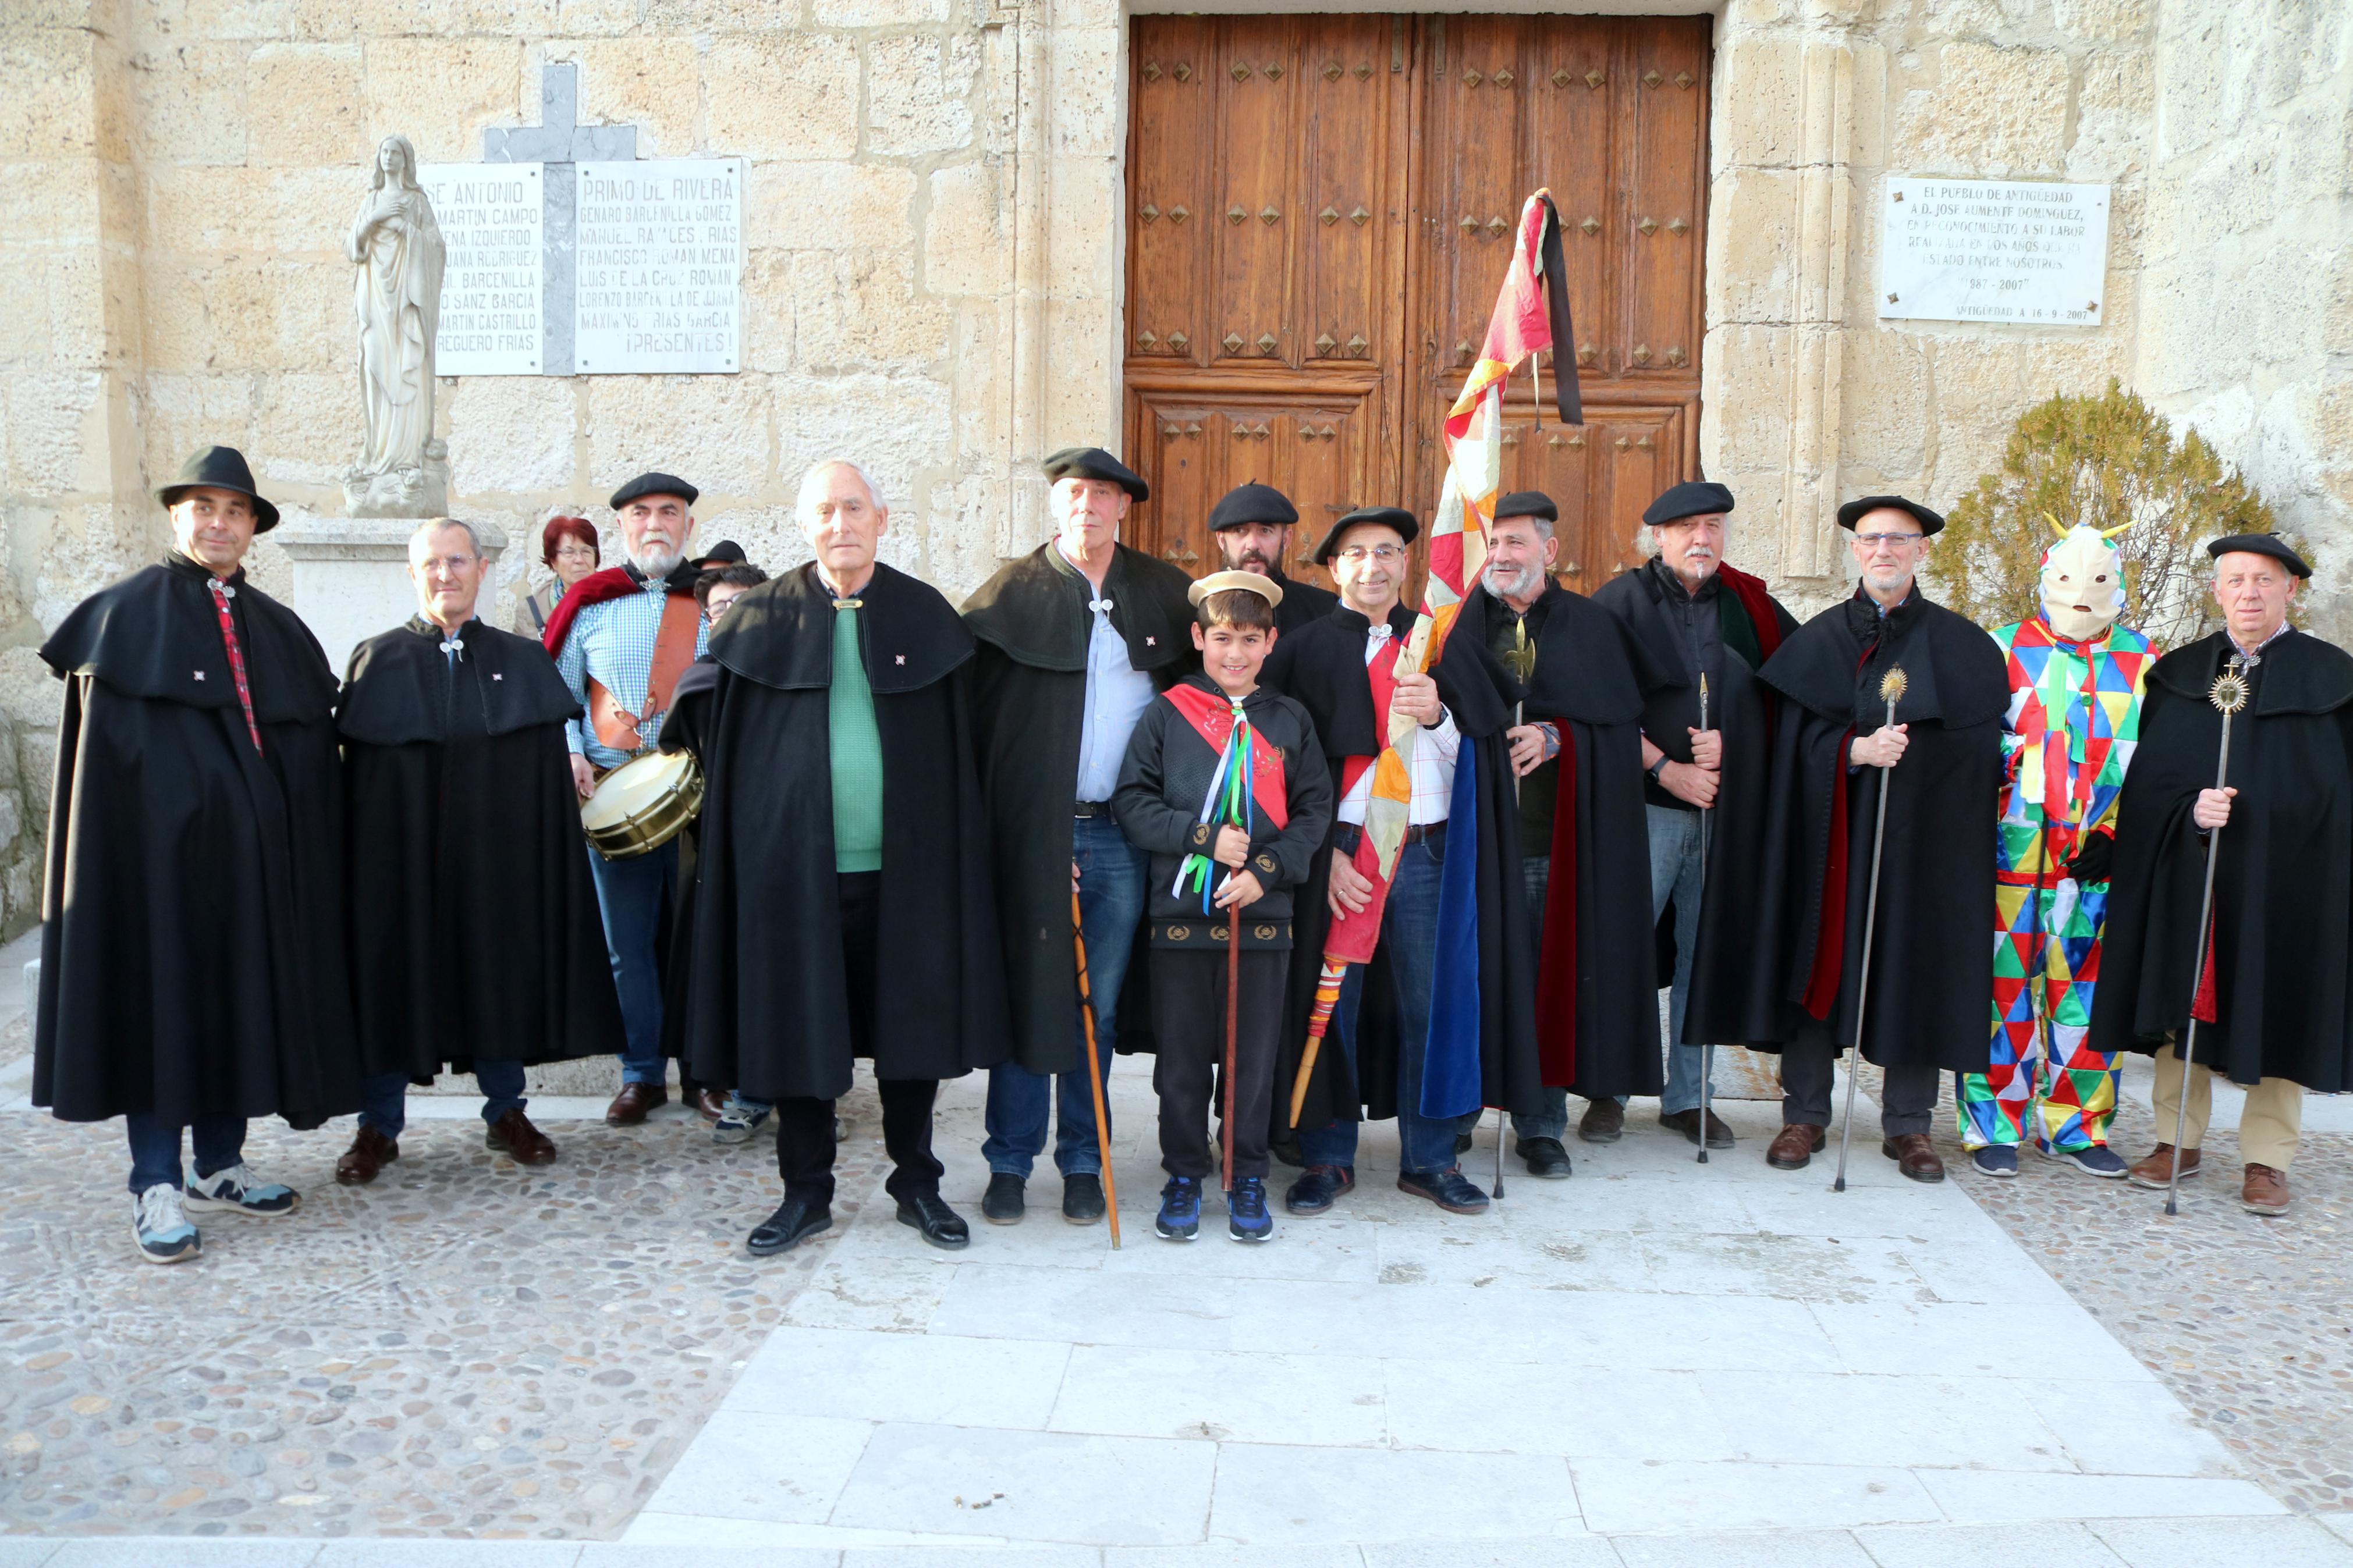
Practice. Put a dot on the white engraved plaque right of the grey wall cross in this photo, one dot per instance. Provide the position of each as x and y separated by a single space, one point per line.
660 267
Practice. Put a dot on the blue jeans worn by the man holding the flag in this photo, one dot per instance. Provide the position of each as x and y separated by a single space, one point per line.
1411 937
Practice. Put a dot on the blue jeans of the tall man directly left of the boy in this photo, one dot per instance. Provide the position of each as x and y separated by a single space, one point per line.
1109 906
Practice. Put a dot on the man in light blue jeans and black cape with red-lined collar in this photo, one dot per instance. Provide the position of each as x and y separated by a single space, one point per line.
1698 617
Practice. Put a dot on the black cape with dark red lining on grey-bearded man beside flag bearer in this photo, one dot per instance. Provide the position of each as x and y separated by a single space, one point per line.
1599 998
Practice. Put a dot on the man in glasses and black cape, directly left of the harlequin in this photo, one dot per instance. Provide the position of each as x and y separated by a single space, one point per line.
1794 984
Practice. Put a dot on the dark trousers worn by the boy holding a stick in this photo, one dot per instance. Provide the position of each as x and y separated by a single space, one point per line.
1189 1019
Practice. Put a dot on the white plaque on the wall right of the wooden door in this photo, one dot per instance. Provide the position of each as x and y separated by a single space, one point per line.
1987 250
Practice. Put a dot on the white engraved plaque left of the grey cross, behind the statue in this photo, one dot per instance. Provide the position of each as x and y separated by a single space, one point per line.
493 222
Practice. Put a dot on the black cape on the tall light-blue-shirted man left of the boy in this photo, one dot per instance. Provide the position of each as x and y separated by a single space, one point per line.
1029 711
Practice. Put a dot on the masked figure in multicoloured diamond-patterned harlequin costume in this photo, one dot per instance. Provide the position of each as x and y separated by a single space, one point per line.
2077 683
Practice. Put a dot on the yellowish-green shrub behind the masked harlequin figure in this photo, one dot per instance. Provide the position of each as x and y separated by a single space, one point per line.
2107 462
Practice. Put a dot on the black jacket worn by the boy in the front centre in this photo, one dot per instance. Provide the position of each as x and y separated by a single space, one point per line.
1159 805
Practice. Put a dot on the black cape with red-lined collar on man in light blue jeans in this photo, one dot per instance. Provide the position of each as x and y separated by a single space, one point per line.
1745 713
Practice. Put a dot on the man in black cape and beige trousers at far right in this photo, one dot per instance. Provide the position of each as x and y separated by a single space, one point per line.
2274 1000
